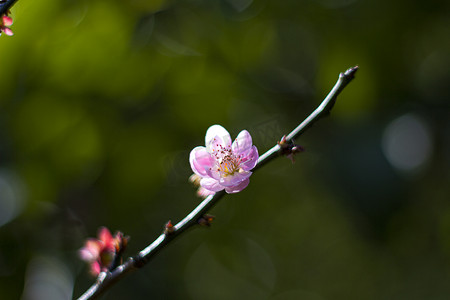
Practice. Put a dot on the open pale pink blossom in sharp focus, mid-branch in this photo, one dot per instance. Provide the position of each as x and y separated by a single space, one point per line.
223 164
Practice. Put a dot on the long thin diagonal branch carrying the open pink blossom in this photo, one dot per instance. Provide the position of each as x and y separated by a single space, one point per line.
107 279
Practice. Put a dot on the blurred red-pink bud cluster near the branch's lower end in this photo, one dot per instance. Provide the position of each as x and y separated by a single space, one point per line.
101 253
